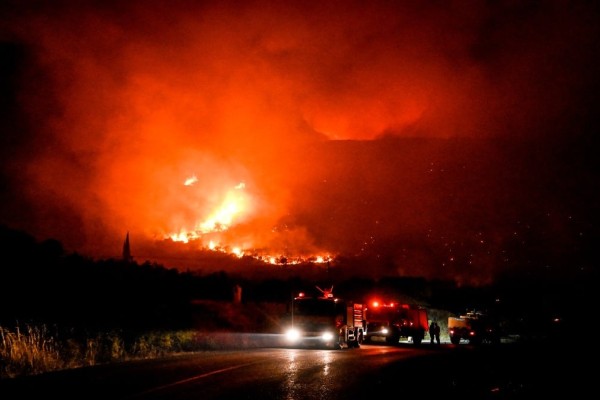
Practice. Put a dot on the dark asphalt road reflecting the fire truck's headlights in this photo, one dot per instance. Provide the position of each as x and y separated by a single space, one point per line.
505 371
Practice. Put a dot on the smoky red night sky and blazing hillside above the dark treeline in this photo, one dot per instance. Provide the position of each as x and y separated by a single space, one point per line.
451 140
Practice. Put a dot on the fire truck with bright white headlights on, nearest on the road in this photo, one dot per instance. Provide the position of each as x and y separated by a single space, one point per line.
325 322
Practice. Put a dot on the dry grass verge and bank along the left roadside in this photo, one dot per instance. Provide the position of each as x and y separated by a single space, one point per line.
36 349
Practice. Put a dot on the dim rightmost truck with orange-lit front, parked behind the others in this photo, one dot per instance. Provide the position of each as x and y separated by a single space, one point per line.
473 327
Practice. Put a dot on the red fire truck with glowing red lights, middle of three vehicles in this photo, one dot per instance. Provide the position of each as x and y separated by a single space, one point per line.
390 322
